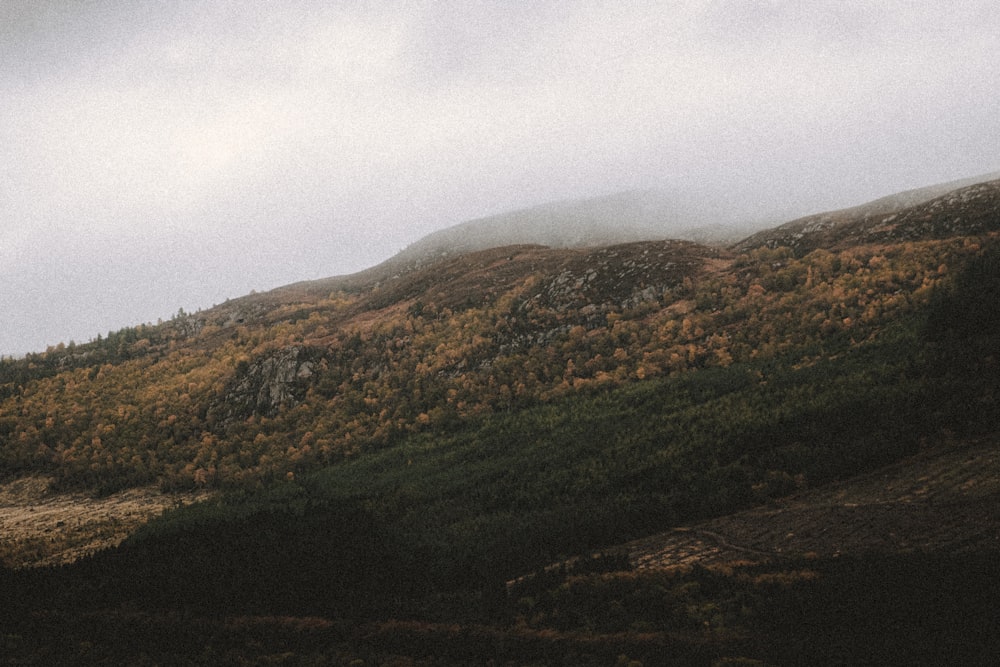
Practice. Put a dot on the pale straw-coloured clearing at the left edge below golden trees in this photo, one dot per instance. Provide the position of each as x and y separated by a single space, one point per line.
40 527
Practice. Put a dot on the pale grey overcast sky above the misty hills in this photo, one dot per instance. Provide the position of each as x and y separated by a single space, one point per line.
157 156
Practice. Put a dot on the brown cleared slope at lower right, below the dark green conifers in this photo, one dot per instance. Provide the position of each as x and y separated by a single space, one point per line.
945 499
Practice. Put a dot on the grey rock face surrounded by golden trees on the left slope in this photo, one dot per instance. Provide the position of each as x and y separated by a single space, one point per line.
264 386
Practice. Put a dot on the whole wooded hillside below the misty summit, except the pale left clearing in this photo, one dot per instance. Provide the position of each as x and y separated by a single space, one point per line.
795 445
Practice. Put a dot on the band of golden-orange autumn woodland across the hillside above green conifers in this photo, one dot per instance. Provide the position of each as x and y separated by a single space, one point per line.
194 403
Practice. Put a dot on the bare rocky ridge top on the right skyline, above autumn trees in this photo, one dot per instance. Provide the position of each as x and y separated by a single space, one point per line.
880 218
